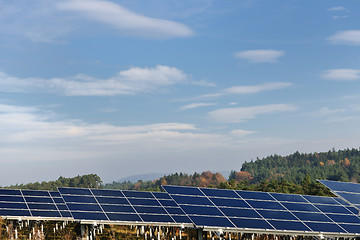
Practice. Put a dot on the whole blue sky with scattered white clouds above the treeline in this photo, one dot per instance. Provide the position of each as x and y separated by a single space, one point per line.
121 88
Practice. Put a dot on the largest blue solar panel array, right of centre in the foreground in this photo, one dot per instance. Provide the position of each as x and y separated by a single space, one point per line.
265 211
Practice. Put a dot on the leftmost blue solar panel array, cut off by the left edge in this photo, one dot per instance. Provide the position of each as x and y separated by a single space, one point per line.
29 204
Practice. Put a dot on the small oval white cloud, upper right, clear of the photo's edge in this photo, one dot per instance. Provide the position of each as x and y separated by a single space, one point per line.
258 56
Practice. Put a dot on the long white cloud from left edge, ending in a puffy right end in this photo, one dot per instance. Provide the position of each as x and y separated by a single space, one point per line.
132 81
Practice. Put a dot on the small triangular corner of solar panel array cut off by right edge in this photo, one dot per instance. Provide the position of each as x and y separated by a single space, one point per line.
348 191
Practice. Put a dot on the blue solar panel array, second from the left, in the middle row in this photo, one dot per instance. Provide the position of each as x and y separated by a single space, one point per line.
123 206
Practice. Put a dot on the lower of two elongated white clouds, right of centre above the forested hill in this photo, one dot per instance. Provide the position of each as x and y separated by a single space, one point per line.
235 115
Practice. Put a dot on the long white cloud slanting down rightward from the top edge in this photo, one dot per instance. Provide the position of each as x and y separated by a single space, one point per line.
125 20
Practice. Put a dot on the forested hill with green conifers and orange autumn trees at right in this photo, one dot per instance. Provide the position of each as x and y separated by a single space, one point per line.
342 165
